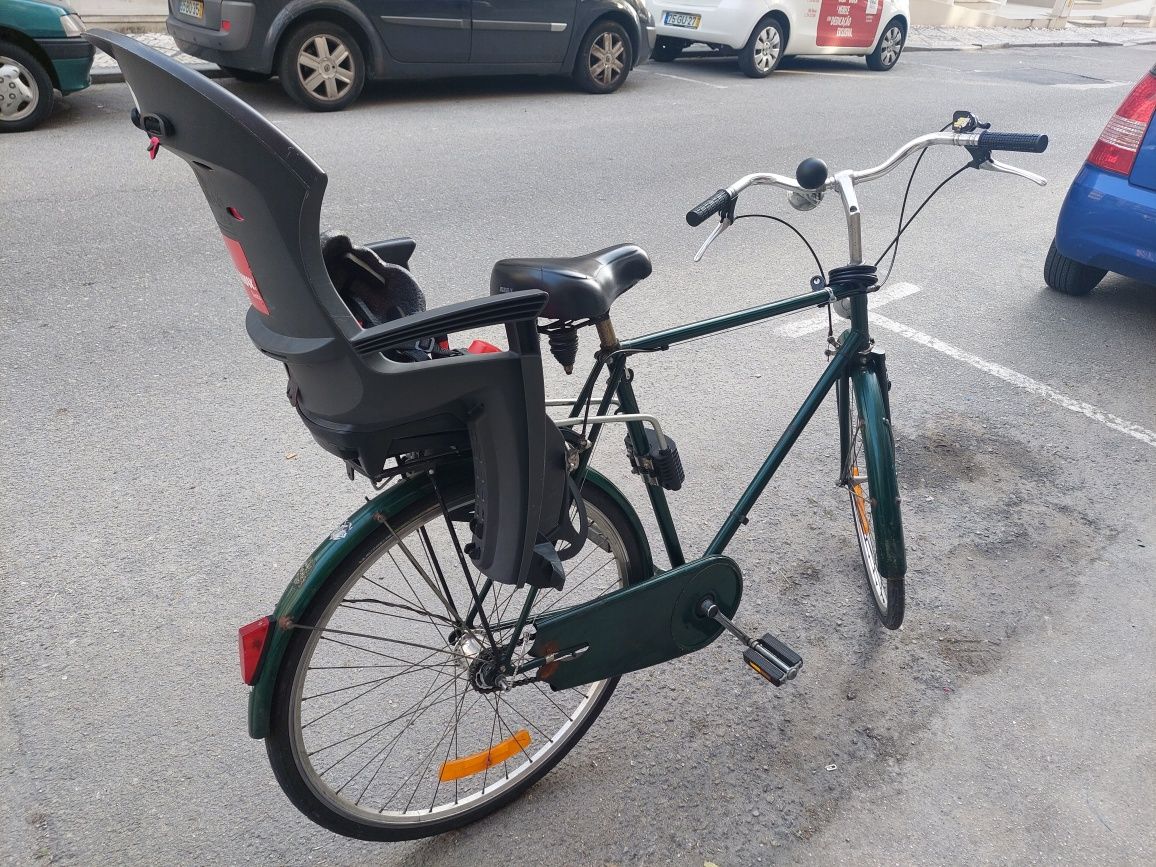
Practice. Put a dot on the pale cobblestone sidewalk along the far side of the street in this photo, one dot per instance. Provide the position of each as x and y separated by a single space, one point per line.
922 39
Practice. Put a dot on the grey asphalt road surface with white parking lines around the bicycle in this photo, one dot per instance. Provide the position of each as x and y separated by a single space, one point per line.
150 508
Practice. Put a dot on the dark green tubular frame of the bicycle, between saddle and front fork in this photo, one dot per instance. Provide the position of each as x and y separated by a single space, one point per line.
854 352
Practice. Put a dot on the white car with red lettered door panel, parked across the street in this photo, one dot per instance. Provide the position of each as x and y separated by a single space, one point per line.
765 32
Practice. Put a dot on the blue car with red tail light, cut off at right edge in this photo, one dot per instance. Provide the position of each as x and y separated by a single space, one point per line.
1109 218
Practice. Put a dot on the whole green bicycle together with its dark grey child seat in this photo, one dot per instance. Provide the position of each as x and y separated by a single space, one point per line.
447 646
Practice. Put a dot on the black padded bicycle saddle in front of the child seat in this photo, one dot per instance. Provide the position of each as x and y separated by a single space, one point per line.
582 287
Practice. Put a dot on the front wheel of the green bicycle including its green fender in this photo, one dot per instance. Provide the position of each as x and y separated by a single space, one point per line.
869 475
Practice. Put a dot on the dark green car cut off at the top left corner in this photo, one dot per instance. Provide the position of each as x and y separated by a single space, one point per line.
41 51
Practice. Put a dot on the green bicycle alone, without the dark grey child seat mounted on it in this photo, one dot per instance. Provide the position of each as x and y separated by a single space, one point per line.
406 696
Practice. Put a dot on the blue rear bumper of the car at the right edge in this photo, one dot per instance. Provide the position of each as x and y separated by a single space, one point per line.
1109 224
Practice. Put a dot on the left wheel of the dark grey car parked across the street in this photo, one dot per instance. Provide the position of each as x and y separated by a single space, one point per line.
322 66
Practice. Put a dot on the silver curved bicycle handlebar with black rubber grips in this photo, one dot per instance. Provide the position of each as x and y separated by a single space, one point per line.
983 142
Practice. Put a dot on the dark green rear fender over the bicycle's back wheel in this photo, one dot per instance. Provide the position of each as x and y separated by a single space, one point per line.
316 572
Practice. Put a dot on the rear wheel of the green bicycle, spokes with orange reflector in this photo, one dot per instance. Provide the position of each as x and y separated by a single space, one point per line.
388 721
